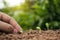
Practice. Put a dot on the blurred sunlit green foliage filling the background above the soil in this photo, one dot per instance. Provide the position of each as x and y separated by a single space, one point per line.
35 14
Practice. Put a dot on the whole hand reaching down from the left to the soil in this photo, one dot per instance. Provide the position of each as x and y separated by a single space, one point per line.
9 23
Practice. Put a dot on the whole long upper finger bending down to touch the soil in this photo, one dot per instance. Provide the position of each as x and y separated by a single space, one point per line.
4 17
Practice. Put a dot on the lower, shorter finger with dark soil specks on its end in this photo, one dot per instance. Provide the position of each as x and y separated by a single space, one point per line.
6 27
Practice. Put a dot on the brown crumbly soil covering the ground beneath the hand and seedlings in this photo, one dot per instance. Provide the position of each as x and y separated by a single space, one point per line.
32 35
